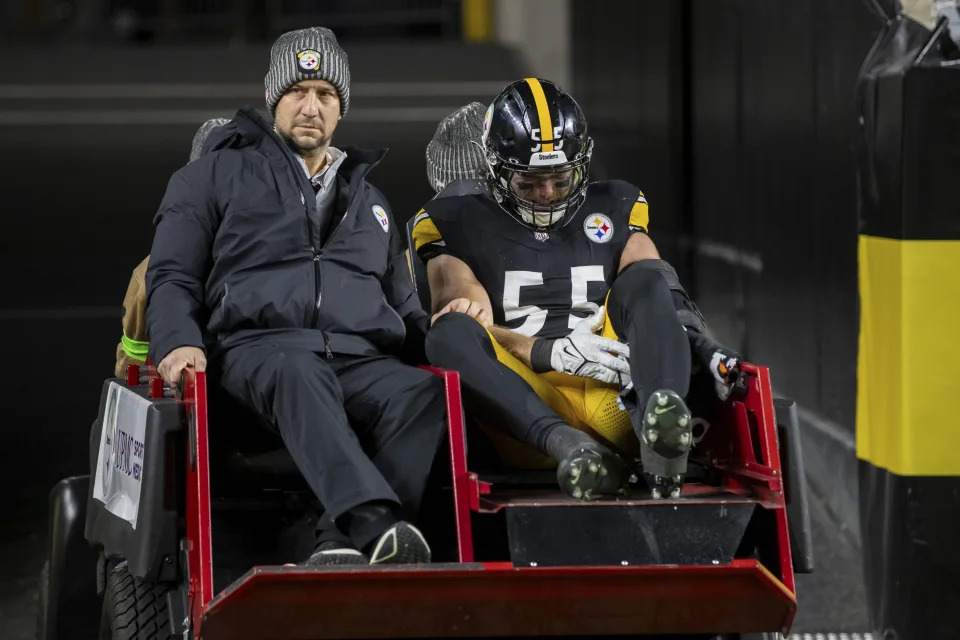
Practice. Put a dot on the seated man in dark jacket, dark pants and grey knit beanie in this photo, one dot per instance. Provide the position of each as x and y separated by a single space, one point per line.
275 257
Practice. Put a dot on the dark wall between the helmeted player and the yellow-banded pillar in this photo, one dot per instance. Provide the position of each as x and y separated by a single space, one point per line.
738 121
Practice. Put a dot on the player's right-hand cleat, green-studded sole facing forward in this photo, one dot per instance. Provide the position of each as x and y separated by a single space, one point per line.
666 437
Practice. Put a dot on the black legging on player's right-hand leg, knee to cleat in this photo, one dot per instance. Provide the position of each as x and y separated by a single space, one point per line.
643 312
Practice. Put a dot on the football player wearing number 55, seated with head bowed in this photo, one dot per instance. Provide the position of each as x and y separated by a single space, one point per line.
554 259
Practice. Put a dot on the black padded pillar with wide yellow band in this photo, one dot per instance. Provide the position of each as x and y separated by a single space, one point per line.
908 368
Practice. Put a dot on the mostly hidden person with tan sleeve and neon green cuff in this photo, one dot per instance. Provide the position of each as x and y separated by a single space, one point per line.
133 345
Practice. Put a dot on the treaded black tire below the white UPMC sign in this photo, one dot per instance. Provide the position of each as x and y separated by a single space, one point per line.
133 610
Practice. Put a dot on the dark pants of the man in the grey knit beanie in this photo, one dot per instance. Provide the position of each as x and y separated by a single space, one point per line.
361 430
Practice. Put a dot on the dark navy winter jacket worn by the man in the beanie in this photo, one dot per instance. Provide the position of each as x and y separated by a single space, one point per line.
237 254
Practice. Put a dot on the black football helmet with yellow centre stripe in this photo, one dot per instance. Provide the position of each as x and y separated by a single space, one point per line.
538 151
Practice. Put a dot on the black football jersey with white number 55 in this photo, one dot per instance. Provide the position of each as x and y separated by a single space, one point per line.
540 284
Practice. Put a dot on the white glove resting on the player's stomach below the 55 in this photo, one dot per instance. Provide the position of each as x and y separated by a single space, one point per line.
589 356
